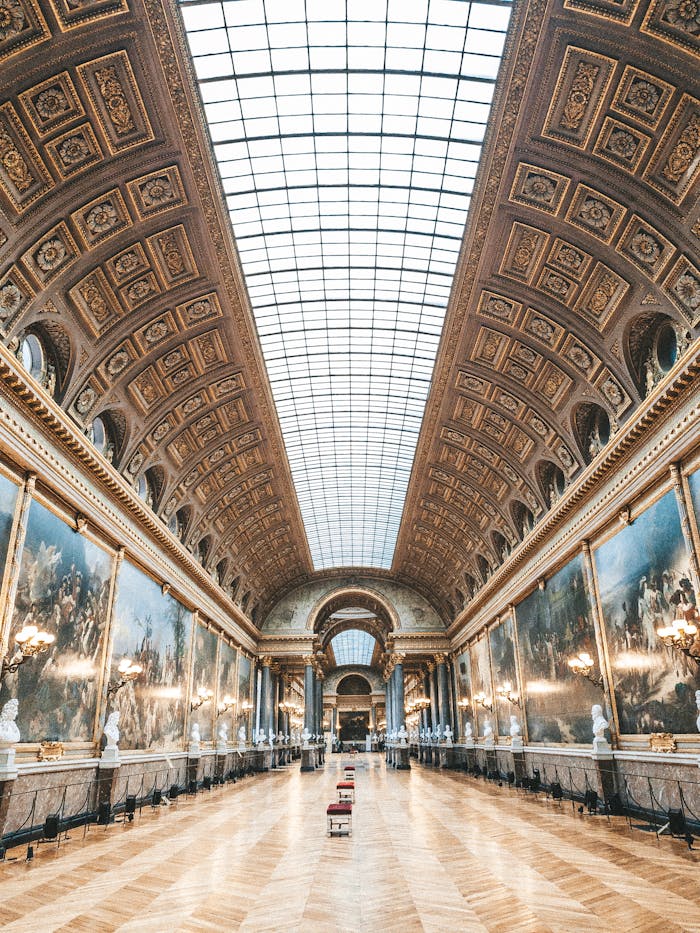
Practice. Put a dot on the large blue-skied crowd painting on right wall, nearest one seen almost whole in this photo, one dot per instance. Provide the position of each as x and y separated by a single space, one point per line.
644 580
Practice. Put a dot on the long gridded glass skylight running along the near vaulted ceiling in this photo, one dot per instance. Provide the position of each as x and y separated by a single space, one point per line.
348 134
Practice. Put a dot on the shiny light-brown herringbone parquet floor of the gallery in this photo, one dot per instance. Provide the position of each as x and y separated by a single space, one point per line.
430 851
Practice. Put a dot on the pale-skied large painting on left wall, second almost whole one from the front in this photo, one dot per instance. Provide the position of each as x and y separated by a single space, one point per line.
154 630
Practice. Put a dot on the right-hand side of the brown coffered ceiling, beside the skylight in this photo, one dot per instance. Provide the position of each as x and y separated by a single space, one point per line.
583 237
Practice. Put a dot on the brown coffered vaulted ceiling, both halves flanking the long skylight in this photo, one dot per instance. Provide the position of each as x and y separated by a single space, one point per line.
583 236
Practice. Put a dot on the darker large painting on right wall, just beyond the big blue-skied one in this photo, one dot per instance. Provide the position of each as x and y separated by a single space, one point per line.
554 625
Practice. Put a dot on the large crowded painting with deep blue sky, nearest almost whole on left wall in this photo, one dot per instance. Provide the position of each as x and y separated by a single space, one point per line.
63 588
